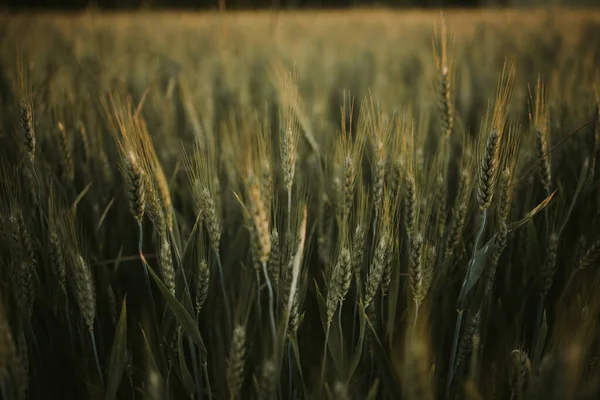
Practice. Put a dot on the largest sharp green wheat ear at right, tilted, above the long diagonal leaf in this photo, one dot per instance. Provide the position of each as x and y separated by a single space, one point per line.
488 171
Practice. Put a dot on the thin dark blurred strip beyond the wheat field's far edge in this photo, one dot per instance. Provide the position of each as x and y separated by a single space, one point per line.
283 4
